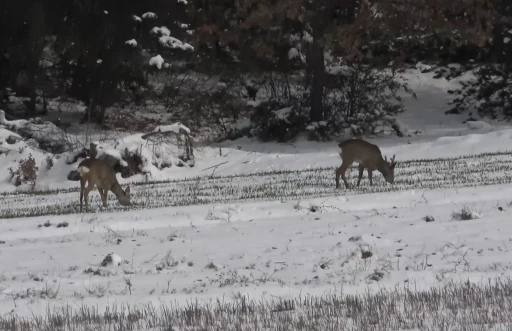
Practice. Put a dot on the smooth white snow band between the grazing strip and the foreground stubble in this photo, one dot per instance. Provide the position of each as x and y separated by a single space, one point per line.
286 242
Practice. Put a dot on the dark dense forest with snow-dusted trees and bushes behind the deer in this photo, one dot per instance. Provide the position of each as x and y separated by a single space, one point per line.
271 69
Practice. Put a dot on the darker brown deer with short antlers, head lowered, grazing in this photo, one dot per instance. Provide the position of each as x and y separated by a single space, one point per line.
368 156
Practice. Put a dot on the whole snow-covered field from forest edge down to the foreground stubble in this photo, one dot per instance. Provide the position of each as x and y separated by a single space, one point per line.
264 221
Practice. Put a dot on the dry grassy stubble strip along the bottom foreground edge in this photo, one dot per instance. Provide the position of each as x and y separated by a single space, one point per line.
461 306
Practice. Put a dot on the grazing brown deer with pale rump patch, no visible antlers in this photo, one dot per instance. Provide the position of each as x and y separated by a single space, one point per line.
100 174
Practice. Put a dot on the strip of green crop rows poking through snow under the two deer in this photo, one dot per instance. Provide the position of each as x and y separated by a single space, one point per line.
467 171
